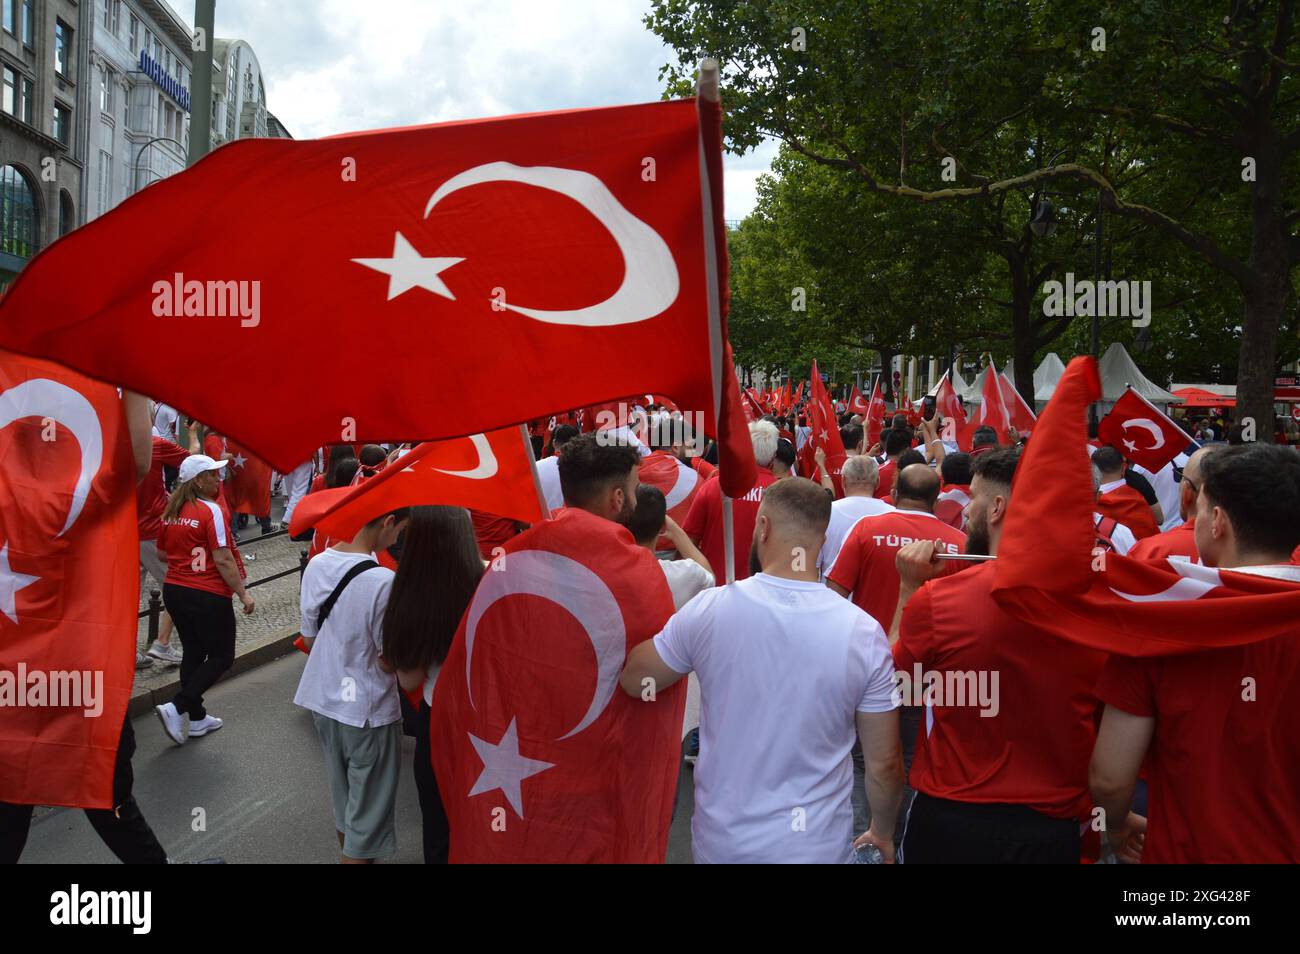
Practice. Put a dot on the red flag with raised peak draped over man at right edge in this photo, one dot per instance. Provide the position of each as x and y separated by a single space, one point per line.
1125 606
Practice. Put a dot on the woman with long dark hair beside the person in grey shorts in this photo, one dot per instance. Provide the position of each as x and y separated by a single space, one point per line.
435 583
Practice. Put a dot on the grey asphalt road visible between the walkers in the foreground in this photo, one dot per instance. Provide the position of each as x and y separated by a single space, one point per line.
261 786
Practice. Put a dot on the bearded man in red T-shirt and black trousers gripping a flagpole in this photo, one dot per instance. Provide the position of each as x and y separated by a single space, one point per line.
1002 769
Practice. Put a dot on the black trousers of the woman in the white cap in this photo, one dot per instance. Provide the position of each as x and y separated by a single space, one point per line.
207 626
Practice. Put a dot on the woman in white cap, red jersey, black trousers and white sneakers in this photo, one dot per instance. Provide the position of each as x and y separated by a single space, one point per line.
203 571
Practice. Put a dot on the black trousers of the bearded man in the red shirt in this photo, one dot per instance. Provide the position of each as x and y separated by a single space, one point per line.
946 832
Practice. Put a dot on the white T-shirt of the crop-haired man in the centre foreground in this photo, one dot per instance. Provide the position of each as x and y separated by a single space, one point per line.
785 666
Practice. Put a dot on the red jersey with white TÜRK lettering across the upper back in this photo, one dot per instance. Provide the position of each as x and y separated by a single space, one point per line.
866 565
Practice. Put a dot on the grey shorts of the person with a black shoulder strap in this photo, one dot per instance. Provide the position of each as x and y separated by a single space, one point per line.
363 767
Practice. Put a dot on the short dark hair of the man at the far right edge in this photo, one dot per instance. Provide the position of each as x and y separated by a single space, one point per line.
1259 488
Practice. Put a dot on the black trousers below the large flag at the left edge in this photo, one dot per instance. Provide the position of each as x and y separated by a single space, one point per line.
124 830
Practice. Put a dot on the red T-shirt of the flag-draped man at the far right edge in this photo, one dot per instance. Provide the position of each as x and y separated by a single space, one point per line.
1224 765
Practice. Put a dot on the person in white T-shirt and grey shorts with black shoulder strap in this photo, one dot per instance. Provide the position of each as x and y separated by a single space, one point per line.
352 693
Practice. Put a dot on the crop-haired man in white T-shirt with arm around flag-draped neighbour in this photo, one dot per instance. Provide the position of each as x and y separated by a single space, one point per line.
787 671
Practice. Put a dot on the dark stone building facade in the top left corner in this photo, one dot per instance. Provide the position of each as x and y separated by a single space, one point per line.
44 141
